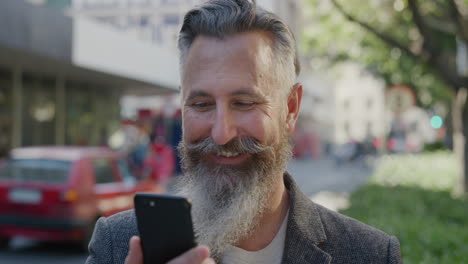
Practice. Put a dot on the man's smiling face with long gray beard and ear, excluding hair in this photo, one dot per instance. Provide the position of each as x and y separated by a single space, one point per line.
236 121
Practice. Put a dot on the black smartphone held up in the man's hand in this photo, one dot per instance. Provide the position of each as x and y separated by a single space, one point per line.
165 226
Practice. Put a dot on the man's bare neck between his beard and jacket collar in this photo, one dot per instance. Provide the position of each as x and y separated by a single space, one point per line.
270 221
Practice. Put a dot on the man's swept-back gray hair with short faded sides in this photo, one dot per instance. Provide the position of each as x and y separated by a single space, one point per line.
221 18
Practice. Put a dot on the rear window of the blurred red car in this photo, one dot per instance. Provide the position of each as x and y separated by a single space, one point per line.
35 170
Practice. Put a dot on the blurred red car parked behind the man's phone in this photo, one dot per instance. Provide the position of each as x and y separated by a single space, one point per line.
58 193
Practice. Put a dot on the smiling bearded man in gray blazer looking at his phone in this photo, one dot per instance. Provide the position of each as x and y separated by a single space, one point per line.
240 104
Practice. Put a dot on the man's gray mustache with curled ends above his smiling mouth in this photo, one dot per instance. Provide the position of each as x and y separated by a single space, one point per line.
240 145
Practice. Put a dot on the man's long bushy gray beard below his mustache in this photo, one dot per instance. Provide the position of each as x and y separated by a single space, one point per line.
229 201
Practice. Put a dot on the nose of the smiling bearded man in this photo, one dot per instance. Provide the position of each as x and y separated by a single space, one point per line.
224 129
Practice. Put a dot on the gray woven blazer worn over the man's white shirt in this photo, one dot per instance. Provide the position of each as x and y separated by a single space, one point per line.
314 235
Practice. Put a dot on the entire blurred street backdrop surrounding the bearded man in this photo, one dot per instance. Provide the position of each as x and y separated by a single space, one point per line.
381 135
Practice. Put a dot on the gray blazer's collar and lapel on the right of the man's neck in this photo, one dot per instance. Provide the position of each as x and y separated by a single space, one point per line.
305 231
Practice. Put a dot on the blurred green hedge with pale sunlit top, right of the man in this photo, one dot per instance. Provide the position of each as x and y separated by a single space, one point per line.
408 196
